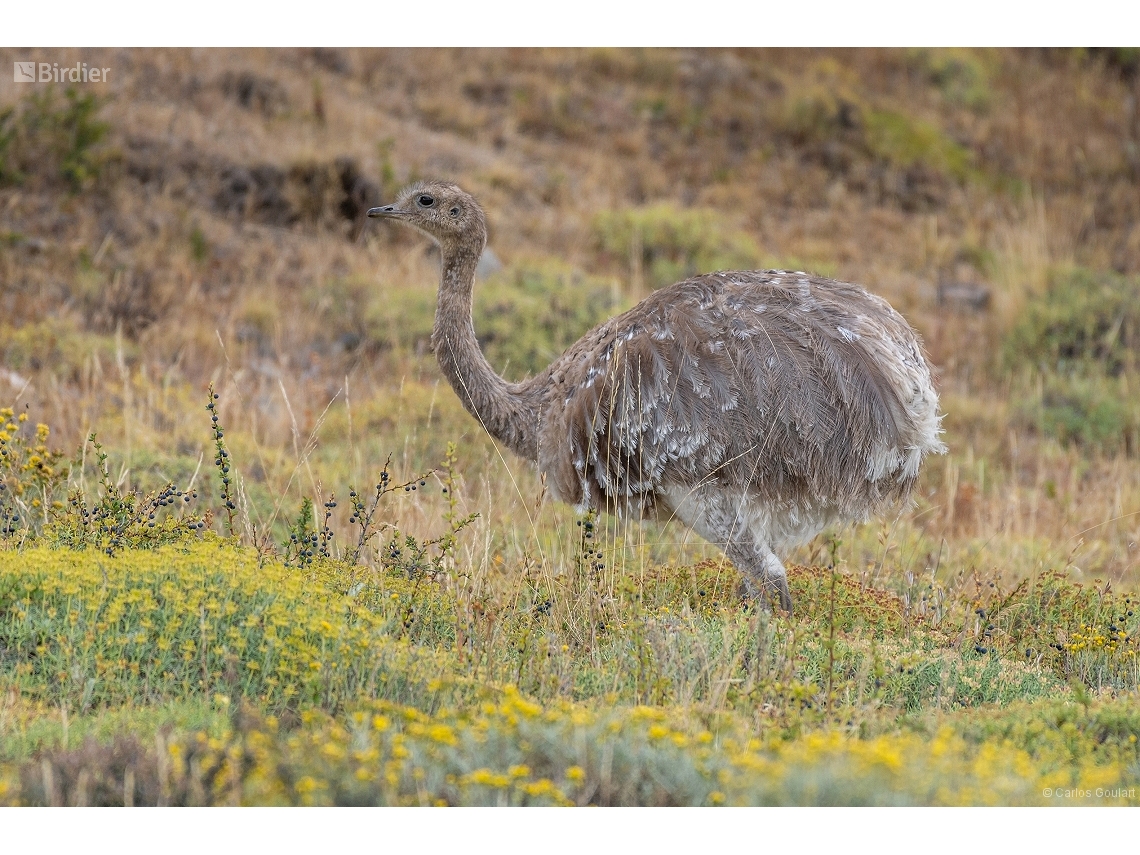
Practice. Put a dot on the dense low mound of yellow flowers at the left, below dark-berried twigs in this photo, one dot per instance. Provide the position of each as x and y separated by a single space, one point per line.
178 622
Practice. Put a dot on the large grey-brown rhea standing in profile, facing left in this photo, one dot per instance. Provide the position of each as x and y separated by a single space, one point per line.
759 408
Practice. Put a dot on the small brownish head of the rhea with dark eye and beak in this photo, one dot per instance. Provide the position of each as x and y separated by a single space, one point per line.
442 211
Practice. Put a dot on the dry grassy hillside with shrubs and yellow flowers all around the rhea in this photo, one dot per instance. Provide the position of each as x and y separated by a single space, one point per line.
331 587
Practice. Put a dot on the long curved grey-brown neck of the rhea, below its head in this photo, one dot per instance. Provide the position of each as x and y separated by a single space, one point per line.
508 416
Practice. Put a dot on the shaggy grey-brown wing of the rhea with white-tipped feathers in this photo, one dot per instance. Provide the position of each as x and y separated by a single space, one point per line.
735 379
